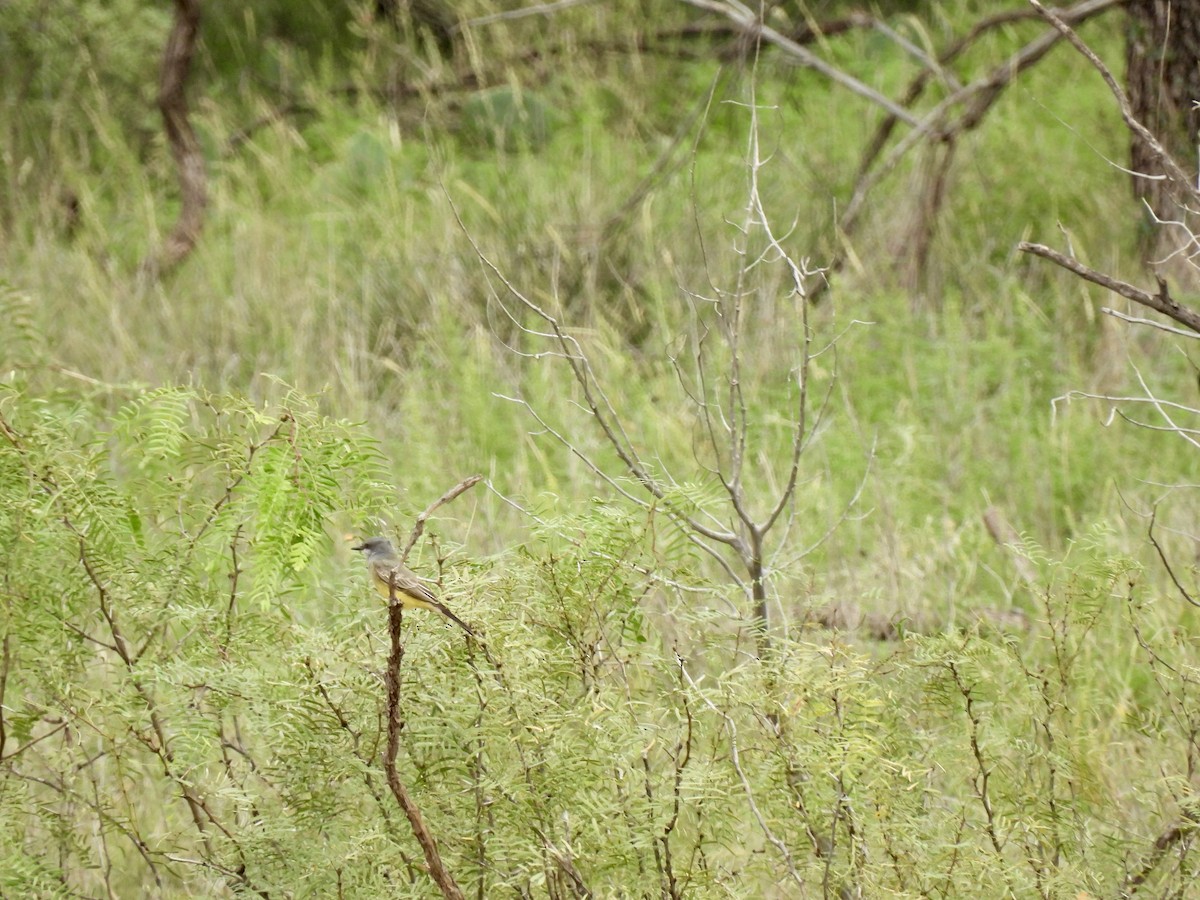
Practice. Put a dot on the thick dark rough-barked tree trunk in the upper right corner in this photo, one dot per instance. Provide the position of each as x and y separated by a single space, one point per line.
1163 81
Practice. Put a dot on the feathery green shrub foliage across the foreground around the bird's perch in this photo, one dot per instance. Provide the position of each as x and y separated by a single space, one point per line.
191 676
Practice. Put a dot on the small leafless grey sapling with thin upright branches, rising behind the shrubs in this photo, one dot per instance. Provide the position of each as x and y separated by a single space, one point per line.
748 533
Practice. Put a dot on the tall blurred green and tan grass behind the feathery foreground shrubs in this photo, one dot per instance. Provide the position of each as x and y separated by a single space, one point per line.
332 261
